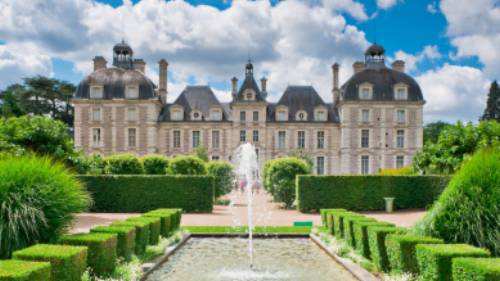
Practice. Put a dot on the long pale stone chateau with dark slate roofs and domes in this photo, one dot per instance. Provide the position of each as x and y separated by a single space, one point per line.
373 121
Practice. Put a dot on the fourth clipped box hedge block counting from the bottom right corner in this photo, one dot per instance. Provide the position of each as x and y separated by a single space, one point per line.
377 242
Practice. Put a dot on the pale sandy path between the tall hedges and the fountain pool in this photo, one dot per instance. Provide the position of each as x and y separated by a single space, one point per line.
265 213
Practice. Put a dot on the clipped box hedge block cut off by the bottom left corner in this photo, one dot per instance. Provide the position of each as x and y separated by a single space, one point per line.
18 270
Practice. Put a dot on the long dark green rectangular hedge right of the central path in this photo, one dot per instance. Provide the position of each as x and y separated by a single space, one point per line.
367 192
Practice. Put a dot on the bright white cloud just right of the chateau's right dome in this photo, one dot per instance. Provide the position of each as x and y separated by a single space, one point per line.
453 93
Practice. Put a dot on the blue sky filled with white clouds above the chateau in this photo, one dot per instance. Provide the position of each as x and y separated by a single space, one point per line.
447 45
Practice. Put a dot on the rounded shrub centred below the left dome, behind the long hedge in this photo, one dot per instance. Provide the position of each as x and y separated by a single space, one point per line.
123 164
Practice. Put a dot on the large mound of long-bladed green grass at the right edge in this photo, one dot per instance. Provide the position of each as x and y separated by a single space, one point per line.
468 211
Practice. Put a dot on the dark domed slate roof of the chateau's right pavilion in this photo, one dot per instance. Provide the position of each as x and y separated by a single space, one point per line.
383 80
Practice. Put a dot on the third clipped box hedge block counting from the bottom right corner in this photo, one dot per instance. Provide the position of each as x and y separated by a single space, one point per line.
401 251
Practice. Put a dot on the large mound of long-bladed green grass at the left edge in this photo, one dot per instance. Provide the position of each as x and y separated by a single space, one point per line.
38 199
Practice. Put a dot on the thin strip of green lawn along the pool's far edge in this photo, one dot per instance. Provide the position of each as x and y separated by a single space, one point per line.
244 229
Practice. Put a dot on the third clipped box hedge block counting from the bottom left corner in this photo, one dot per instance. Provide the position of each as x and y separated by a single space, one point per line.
101 250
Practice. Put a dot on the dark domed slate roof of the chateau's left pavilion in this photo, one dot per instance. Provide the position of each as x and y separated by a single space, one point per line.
114 81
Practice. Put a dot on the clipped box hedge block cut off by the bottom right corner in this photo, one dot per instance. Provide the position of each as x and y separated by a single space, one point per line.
477 269
